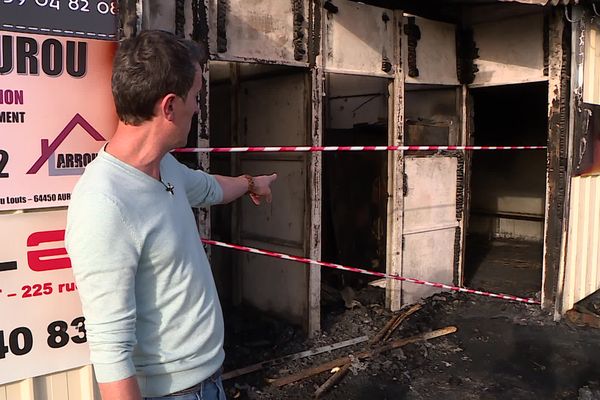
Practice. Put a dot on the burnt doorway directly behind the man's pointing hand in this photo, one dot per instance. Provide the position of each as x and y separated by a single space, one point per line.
262 105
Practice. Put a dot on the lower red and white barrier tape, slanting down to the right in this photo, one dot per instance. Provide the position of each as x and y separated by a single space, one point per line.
364 271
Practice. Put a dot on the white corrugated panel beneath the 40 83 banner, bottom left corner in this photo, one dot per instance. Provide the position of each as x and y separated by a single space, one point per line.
75 384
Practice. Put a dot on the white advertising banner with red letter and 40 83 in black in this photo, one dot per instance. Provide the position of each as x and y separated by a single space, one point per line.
42 329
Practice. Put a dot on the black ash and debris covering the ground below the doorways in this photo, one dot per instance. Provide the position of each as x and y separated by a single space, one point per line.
502 350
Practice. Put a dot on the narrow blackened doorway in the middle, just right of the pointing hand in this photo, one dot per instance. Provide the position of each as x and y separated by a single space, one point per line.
354 185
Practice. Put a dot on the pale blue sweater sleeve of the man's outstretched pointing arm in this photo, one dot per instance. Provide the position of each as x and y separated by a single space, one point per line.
202 189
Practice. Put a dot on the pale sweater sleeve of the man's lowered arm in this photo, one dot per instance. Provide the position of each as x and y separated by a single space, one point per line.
104 254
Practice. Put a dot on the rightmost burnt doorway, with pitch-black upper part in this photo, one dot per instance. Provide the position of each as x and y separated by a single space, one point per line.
505 235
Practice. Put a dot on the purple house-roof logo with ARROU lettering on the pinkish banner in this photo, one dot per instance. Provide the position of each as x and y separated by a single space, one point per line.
66 163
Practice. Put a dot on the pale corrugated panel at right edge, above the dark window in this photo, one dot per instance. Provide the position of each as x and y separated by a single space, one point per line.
591 66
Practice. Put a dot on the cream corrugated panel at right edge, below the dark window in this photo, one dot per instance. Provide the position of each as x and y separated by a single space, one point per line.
581 277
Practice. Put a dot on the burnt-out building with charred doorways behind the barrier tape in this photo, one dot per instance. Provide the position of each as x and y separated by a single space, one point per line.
439 73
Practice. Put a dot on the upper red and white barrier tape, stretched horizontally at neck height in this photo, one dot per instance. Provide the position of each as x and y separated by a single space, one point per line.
287 149
